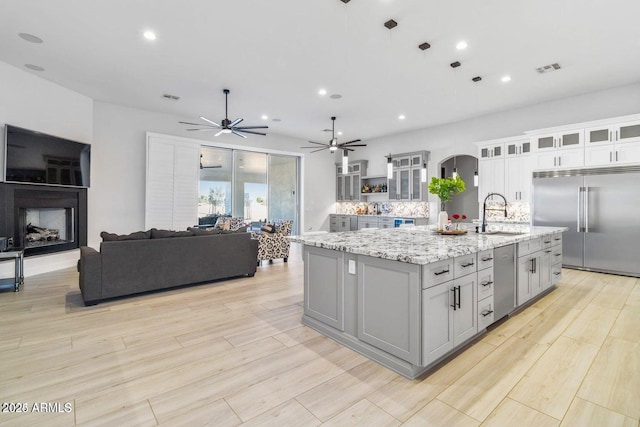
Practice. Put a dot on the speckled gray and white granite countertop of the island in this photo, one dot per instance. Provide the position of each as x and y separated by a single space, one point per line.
420 244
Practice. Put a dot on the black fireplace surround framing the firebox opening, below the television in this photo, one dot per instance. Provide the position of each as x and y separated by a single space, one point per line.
15 198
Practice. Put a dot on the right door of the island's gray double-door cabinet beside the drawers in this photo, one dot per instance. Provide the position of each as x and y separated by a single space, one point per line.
465 316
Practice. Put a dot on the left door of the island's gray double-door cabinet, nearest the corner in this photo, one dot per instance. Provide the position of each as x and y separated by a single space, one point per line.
437 322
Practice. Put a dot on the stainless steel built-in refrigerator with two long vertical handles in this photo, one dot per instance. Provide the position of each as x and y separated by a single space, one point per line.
601 207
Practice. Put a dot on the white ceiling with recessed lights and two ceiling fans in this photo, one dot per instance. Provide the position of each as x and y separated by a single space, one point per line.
274 56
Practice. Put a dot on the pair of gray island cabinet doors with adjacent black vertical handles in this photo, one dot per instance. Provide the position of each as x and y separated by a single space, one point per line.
449 316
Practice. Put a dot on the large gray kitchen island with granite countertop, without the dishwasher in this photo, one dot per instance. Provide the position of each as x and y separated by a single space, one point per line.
408 298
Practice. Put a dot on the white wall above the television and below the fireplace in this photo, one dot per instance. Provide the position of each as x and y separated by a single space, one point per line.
30 102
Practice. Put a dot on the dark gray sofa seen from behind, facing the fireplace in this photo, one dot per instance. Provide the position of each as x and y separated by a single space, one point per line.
160 259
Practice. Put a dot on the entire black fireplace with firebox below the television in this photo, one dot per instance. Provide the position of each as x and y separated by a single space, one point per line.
44 219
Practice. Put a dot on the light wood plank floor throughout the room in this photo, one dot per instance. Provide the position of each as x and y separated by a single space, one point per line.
235 352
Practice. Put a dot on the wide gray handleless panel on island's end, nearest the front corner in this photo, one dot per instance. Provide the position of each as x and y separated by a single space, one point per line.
389 307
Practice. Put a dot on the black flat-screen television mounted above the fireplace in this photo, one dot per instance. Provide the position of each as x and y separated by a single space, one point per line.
38 158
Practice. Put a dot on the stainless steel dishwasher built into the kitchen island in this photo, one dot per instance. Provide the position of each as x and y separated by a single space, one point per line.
504 280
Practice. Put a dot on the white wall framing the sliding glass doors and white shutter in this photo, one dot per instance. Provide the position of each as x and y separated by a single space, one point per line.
116 196
